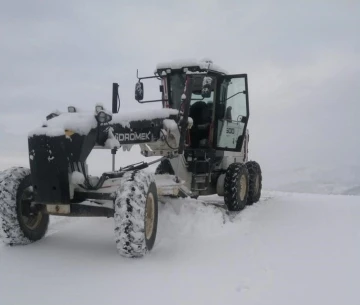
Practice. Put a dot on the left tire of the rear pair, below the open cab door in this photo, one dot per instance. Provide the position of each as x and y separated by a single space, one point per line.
236 186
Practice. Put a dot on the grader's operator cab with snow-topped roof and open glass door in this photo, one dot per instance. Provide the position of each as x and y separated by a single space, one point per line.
218 105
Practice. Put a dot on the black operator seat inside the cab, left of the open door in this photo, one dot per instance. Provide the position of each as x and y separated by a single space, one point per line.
200 113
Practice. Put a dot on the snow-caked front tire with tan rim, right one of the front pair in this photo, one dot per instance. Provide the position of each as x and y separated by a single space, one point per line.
136 214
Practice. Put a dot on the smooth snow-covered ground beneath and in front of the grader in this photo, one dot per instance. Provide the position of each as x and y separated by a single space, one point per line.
287 249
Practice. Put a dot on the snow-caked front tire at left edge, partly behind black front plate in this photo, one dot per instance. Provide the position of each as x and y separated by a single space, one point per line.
19 225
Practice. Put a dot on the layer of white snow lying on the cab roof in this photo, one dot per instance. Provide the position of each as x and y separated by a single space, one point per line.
184 63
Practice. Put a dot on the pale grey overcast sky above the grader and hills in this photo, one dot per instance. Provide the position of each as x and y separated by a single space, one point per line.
302 59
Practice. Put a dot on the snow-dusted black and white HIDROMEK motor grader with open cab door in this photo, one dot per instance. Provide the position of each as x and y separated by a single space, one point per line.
199 134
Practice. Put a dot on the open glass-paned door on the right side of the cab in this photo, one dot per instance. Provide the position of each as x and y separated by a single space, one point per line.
232 112
